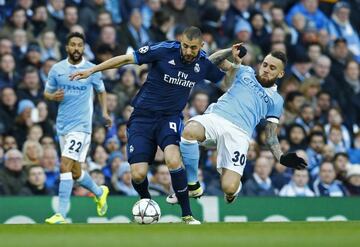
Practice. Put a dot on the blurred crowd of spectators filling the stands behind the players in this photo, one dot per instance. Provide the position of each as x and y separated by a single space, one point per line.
321 89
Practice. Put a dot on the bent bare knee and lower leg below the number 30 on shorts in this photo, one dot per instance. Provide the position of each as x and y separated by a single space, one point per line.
230 184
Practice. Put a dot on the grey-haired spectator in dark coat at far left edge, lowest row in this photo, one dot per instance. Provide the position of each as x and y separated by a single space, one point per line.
12 175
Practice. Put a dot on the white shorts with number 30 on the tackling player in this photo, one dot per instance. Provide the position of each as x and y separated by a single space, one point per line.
232 143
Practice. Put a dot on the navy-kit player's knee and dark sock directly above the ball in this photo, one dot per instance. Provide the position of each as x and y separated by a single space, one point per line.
139 179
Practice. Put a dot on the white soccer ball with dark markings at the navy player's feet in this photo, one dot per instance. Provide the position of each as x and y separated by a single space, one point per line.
146 211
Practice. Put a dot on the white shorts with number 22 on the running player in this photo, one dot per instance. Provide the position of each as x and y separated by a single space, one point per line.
75 145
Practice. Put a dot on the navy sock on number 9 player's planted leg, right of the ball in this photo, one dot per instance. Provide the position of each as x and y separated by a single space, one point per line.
179 183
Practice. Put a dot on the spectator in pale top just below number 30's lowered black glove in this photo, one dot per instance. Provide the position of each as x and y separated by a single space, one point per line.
298 186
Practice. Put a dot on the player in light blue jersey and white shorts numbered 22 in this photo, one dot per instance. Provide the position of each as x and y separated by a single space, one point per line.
74 123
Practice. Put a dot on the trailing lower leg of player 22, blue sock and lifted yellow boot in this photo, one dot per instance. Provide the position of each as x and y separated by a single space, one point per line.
100 192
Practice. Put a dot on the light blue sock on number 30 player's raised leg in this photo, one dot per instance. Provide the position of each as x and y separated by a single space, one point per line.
190 154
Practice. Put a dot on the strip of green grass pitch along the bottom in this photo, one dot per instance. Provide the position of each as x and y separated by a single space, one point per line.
292 234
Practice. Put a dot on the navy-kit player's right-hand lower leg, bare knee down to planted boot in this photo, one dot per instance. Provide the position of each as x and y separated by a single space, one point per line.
179 182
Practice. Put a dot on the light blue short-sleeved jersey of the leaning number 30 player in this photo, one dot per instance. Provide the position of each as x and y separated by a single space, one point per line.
247 102
